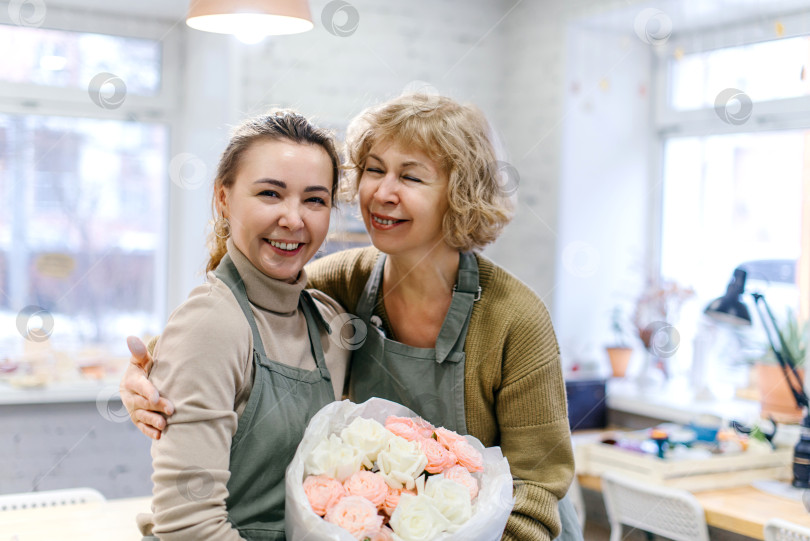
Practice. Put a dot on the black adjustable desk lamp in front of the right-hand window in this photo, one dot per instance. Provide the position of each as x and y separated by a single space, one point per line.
730 309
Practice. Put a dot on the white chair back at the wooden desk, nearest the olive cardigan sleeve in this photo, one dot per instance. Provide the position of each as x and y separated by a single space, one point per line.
672 513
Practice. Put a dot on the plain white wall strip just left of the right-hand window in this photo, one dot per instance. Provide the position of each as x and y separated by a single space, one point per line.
605 193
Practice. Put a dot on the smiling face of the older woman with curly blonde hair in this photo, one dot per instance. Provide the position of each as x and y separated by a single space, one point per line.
403 198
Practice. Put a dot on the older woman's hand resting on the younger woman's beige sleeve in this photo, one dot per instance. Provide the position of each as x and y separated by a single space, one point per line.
147 409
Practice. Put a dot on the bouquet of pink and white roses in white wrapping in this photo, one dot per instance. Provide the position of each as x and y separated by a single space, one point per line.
376 471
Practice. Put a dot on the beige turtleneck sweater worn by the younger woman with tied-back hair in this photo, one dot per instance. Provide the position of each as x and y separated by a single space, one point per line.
203 364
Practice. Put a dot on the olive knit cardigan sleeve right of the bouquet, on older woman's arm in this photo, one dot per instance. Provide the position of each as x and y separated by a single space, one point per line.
533 422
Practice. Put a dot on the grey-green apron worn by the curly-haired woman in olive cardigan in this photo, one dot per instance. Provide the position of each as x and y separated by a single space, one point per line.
428 381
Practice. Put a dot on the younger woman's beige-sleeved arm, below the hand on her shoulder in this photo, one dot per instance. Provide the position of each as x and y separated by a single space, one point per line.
200 364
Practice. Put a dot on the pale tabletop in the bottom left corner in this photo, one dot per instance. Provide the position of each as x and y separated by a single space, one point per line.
95 521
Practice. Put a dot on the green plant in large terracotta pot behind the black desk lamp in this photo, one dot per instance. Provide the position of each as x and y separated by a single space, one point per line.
775 397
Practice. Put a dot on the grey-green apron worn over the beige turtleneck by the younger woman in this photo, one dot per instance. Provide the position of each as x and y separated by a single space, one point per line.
281 403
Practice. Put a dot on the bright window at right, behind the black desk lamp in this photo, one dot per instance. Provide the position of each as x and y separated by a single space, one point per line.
735 169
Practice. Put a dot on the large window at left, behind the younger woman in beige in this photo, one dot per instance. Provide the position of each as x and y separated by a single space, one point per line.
84 145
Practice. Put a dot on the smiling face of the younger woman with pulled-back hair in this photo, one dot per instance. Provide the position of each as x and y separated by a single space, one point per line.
279 205
